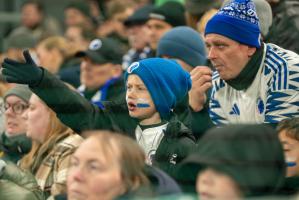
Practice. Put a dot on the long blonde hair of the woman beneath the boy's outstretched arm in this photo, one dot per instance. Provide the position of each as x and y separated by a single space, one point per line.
56 130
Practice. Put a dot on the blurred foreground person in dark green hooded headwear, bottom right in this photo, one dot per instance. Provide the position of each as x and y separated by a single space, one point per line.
235 162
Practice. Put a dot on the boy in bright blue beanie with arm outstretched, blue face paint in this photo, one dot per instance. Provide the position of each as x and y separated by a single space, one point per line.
154 86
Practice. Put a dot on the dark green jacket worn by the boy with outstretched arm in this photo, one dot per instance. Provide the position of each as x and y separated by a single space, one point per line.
79 114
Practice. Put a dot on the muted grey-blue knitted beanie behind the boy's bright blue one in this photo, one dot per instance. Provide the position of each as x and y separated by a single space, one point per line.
184 43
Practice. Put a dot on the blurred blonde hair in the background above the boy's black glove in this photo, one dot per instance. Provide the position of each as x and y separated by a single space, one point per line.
59 43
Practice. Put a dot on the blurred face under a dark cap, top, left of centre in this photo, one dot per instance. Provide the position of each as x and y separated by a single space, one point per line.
74 17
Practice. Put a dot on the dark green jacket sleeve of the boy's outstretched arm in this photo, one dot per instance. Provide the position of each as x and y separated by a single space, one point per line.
71 108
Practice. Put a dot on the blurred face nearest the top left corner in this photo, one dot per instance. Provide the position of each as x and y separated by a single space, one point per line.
30 16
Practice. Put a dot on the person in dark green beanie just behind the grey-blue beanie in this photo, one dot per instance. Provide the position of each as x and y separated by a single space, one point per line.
162 19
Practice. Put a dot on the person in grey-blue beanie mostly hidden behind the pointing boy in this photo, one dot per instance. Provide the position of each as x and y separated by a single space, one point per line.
187 47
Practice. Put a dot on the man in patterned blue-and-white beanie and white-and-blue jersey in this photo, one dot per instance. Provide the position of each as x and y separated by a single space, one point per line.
254 82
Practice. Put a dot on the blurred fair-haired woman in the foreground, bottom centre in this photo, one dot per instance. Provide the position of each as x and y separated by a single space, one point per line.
123 171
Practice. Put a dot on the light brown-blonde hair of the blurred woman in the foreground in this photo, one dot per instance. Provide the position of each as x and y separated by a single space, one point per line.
129 154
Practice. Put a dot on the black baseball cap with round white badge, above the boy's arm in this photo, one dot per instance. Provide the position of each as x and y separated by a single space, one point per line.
101 51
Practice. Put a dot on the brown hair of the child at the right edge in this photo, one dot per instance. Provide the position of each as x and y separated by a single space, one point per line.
291 126
